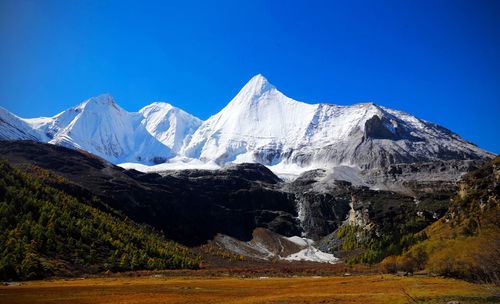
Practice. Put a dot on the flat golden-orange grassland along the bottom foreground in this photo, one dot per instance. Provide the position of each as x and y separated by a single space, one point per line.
190 289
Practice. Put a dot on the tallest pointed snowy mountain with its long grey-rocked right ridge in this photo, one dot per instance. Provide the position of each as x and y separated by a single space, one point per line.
262 125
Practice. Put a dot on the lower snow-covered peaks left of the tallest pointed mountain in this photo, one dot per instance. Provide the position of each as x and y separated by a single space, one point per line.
98 125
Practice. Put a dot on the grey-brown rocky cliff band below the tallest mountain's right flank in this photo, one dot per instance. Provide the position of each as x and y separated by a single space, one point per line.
324 204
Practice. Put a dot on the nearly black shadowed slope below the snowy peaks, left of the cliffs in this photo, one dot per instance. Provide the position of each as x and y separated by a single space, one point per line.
189 206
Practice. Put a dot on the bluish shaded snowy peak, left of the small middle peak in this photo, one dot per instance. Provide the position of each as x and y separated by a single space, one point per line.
100 126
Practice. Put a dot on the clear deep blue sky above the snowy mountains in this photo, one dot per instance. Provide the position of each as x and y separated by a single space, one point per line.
438 60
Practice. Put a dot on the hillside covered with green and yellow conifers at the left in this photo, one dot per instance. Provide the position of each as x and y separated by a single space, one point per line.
45 231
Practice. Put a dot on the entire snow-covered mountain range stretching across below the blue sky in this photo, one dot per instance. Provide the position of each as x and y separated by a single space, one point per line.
259 125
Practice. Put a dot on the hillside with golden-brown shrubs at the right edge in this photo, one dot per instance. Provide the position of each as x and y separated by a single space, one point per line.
465 243
